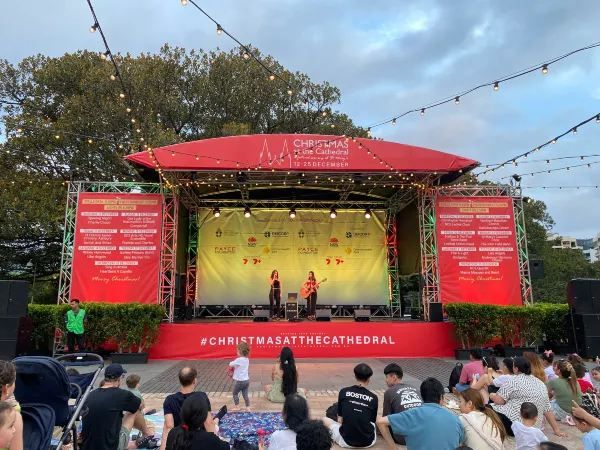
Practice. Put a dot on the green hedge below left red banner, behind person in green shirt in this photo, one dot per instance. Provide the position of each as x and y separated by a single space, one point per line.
131 326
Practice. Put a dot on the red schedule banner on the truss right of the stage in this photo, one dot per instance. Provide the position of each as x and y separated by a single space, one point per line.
477 251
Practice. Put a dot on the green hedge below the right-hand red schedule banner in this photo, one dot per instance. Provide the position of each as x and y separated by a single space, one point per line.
476 324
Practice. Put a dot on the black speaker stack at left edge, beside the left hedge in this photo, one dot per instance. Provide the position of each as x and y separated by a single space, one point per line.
13 309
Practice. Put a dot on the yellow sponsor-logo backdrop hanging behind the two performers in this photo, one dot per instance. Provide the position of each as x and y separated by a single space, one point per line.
236 256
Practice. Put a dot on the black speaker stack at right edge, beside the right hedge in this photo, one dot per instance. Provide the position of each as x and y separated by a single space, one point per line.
584 305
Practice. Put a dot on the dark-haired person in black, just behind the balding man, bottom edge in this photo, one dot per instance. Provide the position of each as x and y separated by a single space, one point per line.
197 428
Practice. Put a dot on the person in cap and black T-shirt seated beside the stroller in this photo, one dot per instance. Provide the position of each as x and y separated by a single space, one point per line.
110 413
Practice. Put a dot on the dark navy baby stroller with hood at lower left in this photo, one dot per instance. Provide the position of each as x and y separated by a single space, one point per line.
45 381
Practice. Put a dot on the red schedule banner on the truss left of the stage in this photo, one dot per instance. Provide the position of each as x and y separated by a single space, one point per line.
116 254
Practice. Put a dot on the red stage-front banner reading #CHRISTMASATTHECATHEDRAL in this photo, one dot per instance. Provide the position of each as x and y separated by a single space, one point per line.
206 339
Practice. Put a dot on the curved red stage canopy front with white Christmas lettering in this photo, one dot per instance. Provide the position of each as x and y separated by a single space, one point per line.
301 152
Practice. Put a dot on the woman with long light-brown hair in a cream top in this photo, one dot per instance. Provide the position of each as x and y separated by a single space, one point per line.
483 428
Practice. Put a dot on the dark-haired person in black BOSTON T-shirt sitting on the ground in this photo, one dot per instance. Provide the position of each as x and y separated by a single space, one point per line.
357 409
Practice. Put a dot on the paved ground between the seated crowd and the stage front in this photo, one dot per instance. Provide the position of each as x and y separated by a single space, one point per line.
322 378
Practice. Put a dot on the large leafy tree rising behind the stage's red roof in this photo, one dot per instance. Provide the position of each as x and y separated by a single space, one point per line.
65 120
